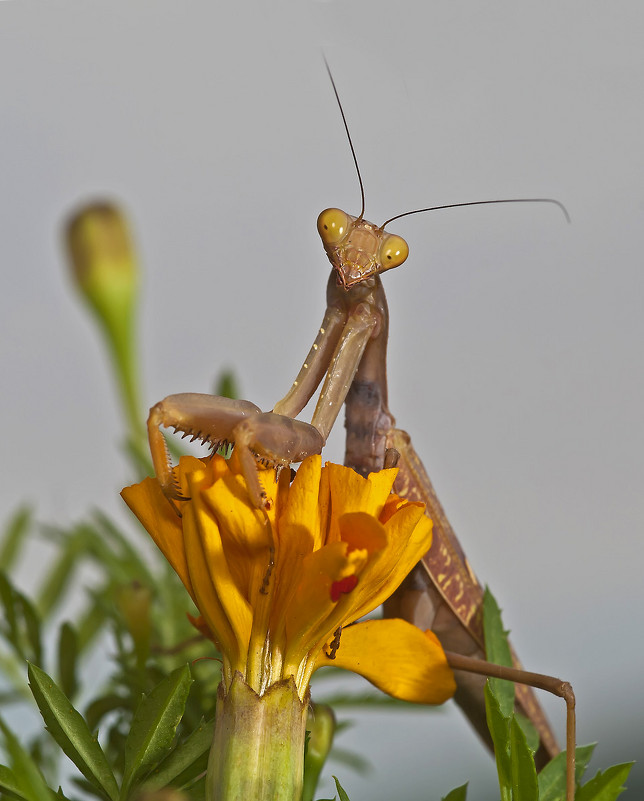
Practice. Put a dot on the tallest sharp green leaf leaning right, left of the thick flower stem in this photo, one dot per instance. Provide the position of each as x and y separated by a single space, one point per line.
154 726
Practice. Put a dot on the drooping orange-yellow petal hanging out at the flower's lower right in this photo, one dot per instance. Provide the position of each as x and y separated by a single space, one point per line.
398 658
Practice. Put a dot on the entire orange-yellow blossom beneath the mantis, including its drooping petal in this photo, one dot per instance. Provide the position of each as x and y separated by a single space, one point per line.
279 591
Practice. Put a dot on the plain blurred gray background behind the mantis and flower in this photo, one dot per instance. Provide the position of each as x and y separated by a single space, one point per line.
515 356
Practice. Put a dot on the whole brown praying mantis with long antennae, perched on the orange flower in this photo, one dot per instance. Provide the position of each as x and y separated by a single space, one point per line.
349 353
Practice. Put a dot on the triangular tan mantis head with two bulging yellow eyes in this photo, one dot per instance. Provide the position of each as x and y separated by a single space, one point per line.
358 249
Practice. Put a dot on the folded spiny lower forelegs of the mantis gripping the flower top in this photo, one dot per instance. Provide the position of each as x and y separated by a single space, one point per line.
269 437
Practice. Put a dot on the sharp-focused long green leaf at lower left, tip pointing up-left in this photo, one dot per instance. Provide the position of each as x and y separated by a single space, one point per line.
71 732
